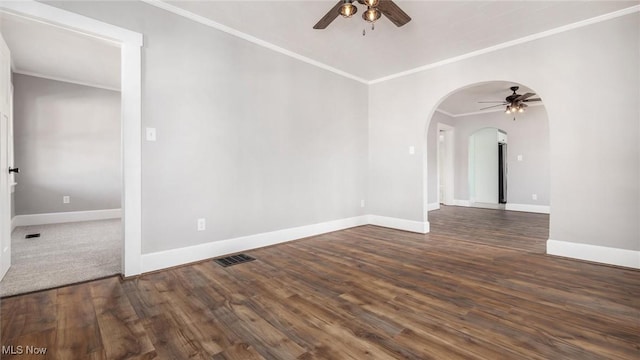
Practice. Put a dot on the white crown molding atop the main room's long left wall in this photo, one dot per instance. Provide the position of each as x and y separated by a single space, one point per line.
250 38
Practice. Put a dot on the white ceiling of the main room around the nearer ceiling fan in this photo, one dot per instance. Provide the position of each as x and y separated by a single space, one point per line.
438 30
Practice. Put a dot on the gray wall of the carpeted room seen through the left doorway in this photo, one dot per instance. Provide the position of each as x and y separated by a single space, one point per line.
67 142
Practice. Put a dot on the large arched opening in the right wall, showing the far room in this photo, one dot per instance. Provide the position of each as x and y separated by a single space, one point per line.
468 142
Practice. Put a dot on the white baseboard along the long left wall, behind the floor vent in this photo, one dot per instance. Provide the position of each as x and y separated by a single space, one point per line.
174 257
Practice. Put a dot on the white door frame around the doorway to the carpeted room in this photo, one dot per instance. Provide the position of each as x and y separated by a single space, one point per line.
131 113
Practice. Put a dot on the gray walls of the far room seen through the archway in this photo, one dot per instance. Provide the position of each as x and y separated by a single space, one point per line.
527 136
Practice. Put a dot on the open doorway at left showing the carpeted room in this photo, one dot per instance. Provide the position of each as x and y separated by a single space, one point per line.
67 198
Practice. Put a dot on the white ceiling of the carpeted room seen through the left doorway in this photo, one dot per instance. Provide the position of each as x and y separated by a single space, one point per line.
44 50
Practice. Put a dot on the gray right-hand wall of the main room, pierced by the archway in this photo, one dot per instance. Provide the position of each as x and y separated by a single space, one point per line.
580 74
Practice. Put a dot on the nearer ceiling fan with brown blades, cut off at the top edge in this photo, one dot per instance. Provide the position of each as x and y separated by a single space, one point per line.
375 8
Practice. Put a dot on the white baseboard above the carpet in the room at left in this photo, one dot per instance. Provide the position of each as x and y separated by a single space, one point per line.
64 217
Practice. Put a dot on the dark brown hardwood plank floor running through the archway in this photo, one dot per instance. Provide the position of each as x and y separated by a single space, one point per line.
477 287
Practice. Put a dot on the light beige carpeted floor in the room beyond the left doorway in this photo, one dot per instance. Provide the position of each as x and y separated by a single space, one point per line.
63 254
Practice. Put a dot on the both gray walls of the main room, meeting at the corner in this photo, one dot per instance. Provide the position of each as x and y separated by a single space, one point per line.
252 140
